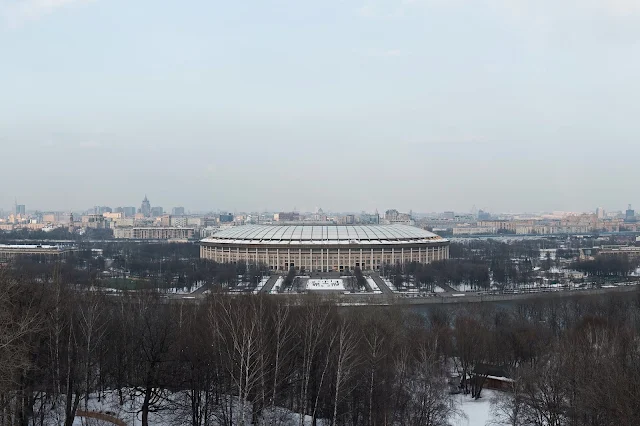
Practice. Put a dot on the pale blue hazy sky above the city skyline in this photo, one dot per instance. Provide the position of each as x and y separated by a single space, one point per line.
508 105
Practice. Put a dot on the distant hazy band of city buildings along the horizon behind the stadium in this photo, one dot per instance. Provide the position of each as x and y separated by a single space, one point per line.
149 222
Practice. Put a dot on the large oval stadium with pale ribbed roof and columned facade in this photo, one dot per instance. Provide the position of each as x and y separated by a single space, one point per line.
324 248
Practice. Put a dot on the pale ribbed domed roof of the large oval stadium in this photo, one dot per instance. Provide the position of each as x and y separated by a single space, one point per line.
325 234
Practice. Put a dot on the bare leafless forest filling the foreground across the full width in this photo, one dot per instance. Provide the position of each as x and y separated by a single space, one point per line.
240 360
